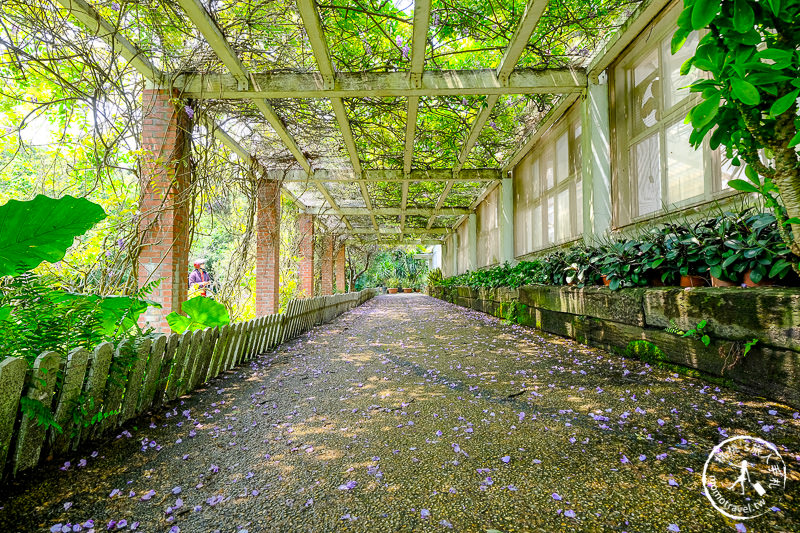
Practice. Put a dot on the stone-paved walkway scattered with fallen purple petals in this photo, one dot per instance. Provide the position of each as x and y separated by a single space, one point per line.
409 414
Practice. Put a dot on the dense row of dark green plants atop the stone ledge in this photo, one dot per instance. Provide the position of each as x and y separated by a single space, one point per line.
727 246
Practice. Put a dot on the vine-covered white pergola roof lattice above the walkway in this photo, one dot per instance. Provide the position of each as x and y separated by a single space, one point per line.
424 202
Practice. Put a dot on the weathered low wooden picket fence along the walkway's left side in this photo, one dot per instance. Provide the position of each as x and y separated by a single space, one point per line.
165 367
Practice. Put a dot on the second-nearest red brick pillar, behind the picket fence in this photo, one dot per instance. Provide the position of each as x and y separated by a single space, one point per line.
268 247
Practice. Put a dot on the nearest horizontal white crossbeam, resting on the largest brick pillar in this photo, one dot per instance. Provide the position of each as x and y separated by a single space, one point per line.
381 84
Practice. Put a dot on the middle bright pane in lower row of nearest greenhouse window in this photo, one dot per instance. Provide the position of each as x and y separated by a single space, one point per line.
684 165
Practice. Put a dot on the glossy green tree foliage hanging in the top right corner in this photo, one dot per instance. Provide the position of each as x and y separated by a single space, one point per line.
749 94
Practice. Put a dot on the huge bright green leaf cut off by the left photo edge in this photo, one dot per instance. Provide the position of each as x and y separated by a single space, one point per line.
42 229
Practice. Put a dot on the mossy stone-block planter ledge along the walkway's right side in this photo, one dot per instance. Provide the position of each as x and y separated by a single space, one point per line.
609 319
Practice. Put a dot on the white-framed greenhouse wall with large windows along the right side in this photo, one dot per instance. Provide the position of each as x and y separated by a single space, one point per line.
617 159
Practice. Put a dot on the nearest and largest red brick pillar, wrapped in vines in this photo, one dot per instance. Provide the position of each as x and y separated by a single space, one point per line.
164 203
